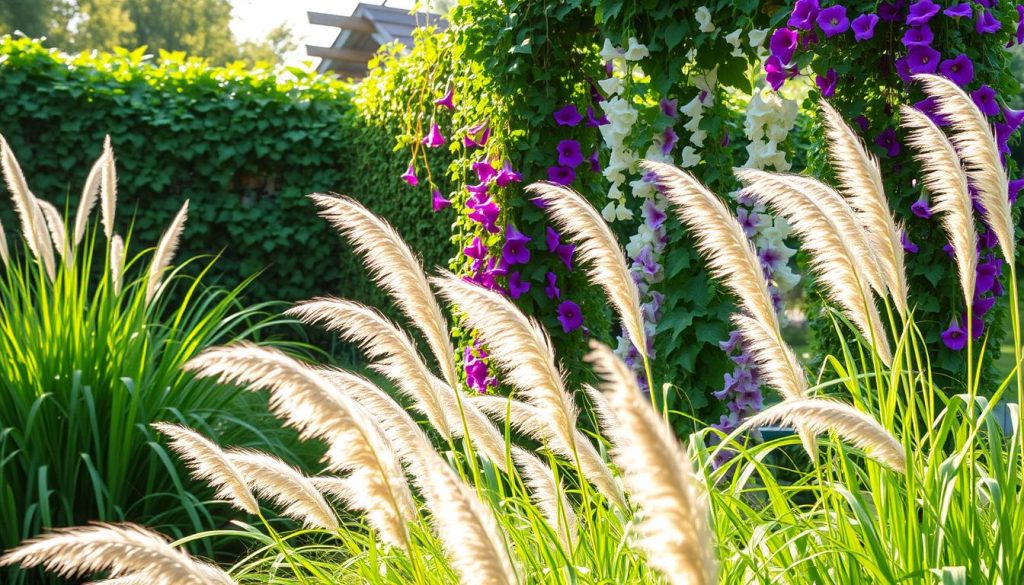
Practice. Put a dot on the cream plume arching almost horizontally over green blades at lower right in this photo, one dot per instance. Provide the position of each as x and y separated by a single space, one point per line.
849 424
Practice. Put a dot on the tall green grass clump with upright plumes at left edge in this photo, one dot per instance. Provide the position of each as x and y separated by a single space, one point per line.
93 340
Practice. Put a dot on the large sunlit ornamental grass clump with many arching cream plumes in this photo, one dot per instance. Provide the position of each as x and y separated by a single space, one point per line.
905 485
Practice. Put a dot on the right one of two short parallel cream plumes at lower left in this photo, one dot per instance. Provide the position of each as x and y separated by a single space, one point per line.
273 479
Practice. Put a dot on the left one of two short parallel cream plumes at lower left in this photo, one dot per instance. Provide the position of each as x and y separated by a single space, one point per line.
209 464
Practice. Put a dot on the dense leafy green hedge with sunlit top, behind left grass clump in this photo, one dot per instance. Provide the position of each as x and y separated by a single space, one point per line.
245 147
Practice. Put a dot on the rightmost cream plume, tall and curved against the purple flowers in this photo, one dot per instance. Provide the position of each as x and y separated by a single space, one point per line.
976 145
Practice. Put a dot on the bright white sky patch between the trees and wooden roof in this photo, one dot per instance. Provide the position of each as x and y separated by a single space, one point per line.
254 19
